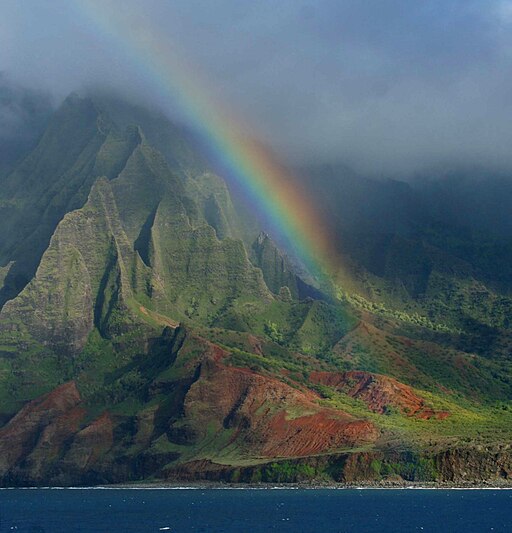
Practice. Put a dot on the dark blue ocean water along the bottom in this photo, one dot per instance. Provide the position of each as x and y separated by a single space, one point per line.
254 510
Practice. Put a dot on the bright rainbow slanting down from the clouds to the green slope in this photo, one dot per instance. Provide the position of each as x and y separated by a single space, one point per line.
271 189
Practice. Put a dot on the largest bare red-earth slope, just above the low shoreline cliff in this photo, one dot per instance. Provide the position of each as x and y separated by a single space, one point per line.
271 418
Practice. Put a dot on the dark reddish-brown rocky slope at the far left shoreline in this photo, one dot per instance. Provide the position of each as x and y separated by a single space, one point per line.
49 440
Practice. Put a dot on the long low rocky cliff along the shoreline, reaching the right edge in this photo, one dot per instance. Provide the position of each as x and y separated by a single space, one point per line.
460 467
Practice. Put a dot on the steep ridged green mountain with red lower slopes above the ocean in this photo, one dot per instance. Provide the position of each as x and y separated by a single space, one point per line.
150 330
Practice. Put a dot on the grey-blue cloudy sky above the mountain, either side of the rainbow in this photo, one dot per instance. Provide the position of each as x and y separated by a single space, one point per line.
389 87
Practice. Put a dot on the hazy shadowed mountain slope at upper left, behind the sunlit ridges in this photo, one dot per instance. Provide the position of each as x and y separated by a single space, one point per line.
79 145
